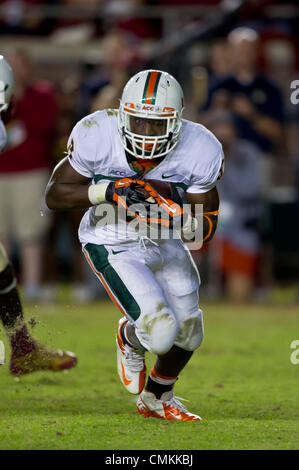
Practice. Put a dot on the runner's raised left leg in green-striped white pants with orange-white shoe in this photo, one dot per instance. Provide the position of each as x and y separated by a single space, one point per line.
148 324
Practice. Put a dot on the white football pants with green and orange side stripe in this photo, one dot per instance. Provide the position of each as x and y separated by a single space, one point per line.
156 287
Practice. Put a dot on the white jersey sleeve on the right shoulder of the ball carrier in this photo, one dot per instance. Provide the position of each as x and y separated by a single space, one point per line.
208 167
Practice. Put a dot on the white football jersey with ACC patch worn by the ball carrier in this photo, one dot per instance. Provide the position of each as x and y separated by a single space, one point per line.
96 151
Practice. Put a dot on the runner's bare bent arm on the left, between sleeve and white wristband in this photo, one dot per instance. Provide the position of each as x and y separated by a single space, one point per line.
67 189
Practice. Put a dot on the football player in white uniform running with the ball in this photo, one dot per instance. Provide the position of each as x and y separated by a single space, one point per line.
151 279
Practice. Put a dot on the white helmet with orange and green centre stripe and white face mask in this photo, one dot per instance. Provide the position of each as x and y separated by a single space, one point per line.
153 97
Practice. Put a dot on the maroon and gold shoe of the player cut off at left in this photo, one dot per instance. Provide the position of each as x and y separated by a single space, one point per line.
42 358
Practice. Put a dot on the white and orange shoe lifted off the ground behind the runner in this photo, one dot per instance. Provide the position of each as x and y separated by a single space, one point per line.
131 366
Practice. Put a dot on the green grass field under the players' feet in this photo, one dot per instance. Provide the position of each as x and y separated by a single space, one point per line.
241 382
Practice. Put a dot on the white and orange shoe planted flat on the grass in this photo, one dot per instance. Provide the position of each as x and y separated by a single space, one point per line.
167 407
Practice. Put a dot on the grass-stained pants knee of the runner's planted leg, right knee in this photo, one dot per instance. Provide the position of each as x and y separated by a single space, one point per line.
191 332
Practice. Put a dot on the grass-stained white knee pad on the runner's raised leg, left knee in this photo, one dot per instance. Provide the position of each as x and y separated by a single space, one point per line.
157 332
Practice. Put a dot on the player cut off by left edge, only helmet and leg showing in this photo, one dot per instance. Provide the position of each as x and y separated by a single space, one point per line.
27 355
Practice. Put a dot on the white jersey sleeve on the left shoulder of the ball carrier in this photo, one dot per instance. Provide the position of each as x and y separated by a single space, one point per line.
80 156
